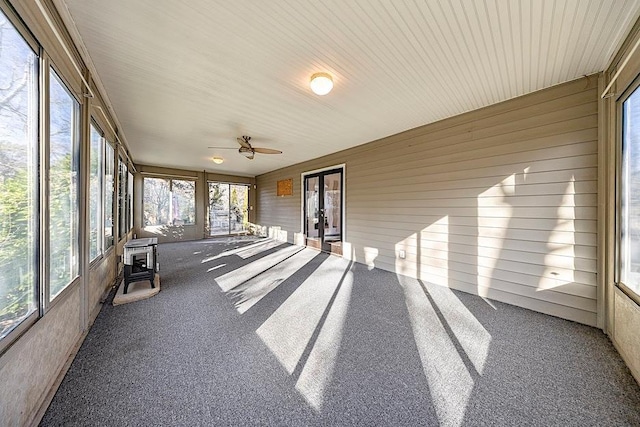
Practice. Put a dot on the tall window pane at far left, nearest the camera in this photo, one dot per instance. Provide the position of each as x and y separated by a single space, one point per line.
18 178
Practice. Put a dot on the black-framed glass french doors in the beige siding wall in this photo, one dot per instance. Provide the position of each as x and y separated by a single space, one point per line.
323 210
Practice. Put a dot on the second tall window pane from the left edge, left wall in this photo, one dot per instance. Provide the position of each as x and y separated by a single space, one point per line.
63 186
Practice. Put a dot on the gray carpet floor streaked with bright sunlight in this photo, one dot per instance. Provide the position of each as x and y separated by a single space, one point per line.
260 333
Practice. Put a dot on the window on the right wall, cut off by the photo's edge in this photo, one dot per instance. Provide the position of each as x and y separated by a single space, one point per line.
630 194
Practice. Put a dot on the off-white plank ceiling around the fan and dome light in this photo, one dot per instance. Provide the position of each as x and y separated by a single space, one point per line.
182 76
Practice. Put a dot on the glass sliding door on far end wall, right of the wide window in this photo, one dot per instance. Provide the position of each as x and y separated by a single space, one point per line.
228 208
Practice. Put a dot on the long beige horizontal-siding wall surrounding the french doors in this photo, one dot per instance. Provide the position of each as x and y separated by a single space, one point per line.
499 202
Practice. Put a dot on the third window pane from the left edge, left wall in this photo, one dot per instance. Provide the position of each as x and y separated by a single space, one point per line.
96 166
